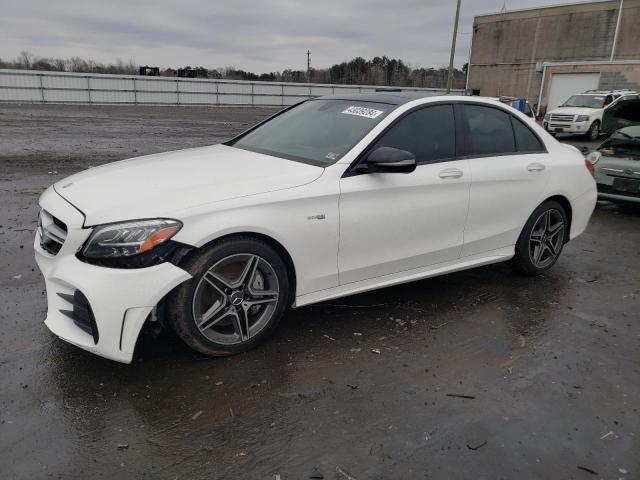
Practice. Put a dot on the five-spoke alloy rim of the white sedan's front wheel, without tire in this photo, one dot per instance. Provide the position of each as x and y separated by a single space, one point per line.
235 298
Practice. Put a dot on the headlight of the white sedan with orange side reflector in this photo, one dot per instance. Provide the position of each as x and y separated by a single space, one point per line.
126 239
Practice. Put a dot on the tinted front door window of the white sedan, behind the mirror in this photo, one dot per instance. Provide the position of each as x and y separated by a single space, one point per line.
428 133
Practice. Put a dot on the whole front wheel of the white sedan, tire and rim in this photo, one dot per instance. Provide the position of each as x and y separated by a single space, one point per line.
235 299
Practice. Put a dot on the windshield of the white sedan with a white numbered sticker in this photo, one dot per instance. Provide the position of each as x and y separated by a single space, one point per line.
319 132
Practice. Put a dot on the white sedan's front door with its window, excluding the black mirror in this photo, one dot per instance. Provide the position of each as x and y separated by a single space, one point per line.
393 222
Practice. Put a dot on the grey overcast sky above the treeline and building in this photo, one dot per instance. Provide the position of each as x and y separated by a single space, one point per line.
252 35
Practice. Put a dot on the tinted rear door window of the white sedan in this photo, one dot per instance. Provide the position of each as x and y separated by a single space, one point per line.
490 131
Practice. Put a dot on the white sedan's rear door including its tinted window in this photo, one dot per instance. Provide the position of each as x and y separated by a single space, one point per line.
509 171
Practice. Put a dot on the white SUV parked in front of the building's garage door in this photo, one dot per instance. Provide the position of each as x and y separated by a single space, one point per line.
582 113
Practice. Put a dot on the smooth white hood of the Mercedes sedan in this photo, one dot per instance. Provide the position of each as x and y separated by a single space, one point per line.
157 185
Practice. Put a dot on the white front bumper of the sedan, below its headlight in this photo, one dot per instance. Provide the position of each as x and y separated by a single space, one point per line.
120 299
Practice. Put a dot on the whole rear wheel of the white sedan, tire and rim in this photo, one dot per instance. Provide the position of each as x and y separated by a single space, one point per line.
541 240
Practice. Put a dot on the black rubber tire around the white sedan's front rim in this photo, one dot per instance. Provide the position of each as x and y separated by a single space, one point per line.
180 310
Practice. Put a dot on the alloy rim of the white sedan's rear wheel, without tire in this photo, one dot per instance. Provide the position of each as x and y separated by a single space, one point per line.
547 236
